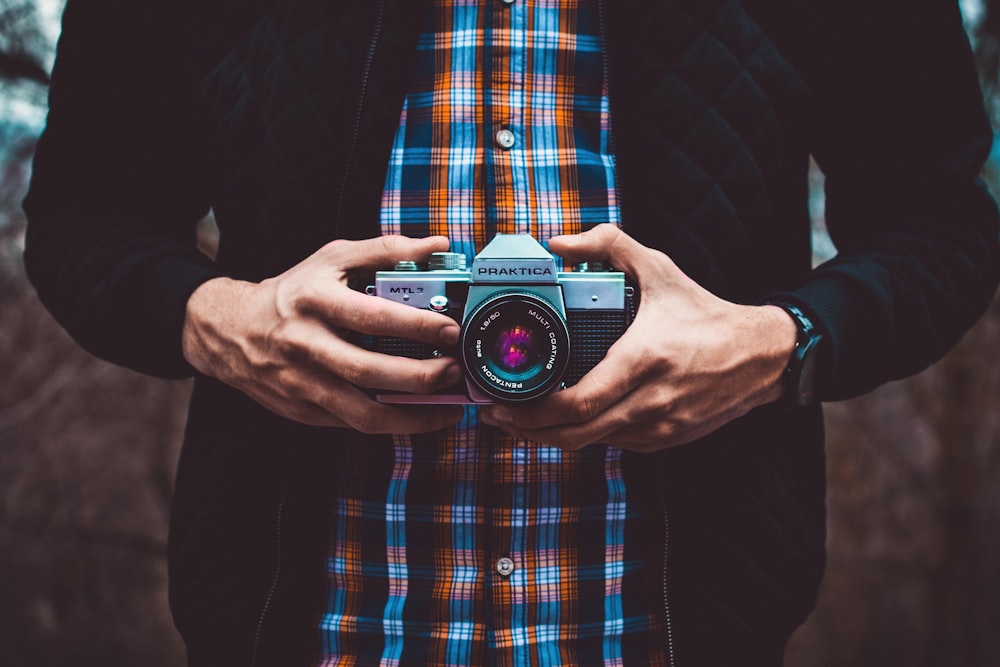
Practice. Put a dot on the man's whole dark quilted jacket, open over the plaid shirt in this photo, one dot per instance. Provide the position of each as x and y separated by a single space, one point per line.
279 115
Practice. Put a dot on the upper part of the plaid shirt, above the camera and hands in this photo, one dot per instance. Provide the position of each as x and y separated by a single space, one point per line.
506 128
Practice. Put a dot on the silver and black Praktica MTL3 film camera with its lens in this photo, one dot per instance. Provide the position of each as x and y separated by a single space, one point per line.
527 329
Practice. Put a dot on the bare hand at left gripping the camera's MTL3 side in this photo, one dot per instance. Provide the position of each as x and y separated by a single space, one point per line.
285 341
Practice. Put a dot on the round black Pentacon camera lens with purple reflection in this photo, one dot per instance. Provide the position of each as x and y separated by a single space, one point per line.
515 346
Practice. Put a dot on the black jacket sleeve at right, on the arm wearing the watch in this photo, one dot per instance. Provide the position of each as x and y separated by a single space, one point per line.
901 135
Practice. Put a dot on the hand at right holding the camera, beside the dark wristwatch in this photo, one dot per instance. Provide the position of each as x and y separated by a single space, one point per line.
689 363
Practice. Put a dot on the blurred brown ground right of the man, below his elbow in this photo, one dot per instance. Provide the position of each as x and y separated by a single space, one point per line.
914 520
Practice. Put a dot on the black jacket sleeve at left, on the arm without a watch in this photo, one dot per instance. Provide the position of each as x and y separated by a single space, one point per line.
119 183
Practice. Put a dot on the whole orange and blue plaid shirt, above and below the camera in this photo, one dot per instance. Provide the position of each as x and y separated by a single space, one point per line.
472 548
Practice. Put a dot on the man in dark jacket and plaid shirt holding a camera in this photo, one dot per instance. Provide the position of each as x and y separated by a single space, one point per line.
668 138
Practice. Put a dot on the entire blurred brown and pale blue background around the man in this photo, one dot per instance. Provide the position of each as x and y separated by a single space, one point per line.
87 456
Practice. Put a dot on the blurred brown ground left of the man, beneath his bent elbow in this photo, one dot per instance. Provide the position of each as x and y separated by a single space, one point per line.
87 454
